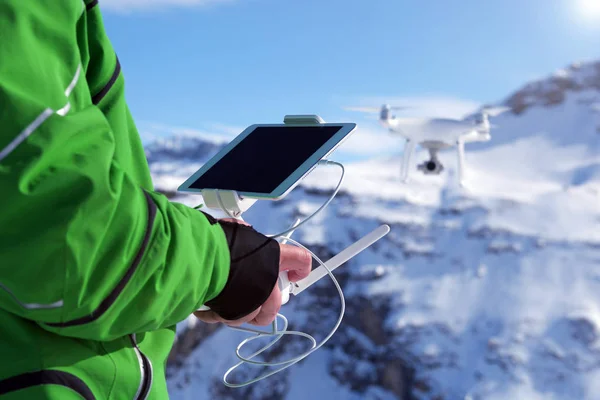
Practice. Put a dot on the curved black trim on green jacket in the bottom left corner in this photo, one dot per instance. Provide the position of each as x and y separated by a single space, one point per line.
46 377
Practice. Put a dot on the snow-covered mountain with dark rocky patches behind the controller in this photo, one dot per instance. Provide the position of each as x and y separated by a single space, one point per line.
486 292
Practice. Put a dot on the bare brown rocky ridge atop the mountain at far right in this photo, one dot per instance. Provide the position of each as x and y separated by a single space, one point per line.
552 91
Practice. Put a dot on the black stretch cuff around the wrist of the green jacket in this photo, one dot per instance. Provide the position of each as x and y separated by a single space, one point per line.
253 272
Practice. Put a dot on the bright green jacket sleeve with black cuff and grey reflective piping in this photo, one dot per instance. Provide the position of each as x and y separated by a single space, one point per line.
84 251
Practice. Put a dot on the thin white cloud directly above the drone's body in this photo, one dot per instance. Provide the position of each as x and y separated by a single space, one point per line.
421 106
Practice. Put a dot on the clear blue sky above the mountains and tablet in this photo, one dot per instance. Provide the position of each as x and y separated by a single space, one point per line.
218 66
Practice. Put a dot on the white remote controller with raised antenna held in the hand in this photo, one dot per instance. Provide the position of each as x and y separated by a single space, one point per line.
286 287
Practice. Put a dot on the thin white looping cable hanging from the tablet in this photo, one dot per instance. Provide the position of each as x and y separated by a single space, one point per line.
277 333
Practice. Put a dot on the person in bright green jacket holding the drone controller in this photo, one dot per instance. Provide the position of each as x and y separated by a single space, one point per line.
97 268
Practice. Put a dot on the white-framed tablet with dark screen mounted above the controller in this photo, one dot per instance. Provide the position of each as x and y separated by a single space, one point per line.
266 161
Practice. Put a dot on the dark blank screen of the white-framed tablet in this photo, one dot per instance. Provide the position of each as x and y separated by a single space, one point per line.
265 158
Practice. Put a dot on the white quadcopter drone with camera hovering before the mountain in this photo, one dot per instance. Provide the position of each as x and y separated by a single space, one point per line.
435 134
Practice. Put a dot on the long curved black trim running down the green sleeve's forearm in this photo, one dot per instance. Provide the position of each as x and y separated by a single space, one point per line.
112 297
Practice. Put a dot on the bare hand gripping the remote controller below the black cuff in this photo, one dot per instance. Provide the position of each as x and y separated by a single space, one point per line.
295 260
